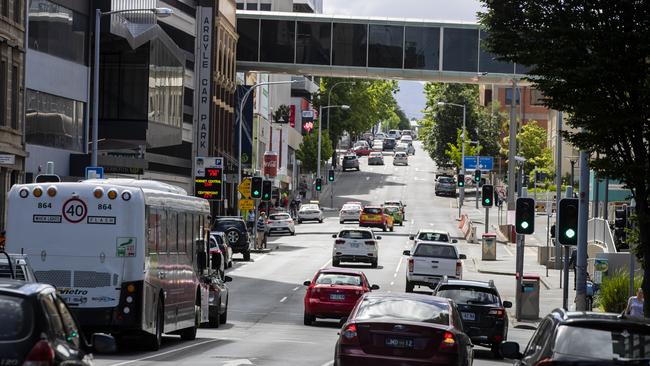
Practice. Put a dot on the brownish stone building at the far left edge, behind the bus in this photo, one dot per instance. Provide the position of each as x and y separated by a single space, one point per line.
12 82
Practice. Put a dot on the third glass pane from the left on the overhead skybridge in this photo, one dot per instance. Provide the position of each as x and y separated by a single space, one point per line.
313 43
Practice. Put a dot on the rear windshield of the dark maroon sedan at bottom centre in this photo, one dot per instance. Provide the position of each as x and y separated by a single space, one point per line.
403 309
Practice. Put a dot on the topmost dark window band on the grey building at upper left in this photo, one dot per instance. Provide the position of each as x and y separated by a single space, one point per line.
58 31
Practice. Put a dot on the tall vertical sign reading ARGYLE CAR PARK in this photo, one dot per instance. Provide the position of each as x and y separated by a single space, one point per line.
203 72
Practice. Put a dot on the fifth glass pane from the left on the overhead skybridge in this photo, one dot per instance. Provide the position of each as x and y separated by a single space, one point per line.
385 46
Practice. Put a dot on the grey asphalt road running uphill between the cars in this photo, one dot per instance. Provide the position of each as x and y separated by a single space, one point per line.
266 302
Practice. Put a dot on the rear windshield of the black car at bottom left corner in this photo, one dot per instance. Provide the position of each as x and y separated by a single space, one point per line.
16 317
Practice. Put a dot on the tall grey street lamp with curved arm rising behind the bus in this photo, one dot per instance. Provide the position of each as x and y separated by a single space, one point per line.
159 12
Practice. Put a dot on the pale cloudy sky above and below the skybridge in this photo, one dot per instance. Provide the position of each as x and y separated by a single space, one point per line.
411 96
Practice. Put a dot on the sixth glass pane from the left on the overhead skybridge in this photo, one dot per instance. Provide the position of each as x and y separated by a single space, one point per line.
422 48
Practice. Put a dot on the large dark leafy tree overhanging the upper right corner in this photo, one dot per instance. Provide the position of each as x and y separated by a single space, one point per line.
590 59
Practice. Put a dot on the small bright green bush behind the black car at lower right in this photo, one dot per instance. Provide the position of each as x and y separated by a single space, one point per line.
613 294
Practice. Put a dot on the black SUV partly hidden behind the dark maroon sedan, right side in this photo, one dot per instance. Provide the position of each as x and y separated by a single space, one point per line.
483 313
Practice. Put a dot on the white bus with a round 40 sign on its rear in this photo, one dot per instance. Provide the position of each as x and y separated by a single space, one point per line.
128 256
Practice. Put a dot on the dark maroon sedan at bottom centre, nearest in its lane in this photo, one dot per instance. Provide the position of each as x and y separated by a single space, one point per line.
403 329
